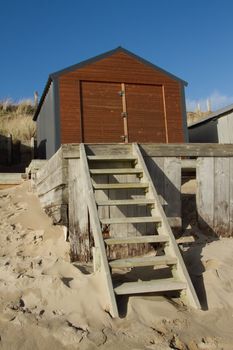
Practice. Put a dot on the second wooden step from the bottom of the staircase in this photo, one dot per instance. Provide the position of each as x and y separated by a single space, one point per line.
143 261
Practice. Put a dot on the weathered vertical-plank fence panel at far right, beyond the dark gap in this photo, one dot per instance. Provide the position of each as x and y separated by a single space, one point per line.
215 195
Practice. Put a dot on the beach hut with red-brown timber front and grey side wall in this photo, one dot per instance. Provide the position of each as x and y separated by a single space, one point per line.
112 98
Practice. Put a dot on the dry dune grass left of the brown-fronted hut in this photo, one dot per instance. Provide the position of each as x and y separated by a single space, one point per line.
16 119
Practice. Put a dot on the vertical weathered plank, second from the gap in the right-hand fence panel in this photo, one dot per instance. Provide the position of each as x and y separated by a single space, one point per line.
221 196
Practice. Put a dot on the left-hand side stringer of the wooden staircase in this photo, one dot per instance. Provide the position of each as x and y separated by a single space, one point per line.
97 233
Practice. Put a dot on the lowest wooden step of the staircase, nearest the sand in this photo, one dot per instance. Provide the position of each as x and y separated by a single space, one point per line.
160 285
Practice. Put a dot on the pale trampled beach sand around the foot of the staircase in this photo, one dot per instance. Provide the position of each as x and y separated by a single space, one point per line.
49 303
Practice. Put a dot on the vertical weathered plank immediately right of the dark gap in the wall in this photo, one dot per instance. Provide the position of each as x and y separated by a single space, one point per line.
205 192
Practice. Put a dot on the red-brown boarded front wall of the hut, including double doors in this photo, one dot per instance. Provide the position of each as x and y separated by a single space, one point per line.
152 97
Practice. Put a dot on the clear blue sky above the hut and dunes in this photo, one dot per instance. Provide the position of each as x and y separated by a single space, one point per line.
190 38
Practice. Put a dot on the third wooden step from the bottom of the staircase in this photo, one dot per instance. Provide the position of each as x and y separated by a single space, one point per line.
137 239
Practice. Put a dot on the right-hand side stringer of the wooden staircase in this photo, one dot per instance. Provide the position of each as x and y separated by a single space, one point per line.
165 229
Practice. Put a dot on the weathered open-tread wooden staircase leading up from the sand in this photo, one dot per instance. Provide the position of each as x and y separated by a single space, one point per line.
166 258
